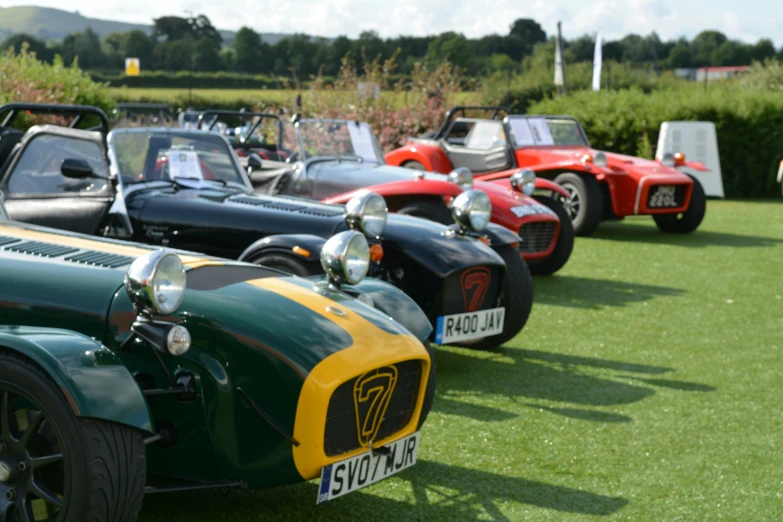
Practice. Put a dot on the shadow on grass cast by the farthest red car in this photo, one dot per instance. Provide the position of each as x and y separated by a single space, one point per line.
635 233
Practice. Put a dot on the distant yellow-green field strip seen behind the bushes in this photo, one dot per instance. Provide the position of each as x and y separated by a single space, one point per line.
179 97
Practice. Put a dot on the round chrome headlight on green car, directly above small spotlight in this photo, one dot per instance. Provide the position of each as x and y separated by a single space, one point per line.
156 283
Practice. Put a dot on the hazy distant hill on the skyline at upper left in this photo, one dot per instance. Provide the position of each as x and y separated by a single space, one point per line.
56 24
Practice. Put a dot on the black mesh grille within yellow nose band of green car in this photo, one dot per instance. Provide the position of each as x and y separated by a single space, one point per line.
342 432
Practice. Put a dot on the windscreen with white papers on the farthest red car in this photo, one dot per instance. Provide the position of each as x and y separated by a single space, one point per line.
537 131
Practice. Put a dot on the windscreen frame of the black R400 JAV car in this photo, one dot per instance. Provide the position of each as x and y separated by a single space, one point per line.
241 182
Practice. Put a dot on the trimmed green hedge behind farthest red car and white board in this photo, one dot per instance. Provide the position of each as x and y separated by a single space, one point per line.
749 125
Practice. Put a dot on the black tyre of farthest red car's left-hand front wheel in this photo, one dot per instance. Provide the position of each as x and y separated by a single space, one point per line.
584 206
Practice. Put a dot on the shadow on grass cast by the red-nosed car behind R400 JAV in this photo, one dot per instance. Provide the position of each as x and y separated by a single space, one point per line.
583 292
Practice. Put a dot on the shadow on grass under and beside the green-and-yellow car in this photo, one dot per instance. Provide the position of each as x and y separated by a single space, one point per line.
440 492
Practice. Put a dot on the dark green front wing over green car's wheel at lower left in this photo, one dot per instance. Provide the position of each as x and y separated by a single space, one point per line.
92 378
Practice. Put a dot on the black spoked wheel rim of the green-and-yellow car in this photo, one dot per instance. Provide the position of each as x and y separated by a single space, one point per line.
34 484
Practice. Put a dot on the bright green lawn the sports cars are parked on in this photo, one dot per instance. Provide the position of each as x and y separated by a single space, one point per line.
645 387
